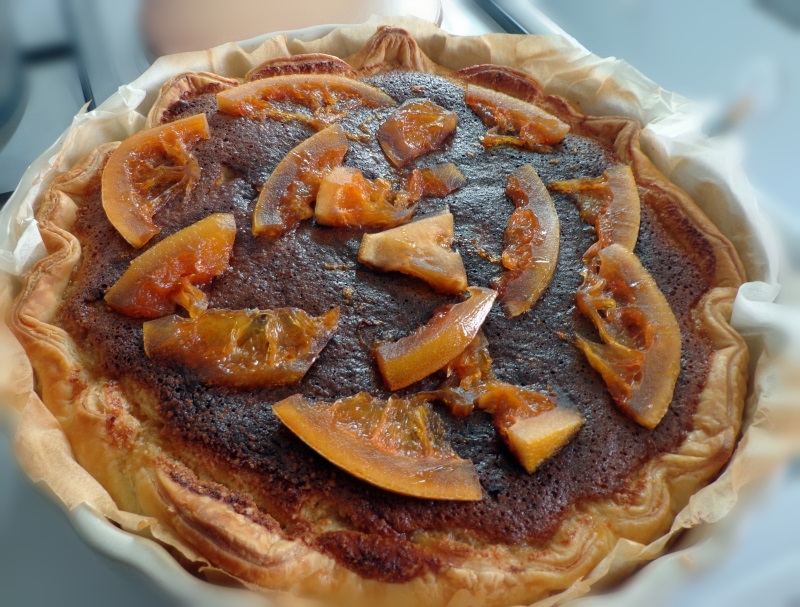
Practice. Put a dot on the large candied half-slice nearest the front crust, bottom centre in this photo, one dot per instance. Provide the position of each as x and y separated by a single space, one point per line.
397 445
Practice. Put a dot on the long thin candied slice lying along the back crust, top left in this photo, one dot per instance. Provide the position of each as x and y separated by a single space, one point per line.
319 92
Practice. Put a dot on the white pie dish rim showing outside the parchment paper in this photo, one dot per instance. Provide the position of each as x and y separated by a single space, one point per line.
672 570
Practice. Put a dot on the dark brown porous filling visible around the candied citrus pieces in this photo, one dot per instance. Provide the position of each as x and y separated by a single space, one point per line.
315 269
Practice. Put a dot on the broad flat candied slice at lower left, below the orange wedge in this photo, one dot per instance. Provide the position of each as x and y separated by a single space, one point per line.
242 348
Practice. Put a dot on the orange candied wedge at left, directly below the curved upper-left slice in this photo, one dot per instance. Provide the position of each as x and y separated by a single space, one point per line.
168 272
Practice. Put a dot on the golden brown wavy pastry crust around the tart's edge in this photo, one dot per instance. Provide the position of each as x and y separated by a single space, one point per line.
229 530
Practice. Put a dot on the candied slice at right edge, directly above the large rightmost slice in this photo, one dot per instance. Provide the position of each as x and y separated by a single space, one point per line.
610 203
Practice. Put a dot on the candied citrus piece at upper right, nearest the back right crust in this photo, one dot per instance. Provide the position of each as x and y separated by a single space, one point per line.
514 121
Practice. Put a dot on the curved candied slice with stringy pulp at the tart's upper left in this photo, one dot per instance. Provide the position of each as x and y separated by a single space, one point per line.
147 171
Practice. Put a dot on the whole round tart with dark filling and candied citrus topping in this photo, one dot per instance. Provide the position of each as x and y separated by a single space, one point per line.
379 330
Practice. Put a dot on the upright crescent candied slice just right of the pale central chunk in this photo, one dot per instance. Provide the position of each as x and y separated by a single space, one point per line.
531 242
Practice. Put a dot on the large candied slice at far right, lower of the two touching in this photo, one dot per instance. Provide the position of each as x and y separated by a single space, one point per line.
640 357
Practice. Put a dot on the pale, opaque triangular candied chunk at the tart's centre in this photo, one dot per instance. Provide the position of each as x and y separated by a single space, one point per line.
420 249
